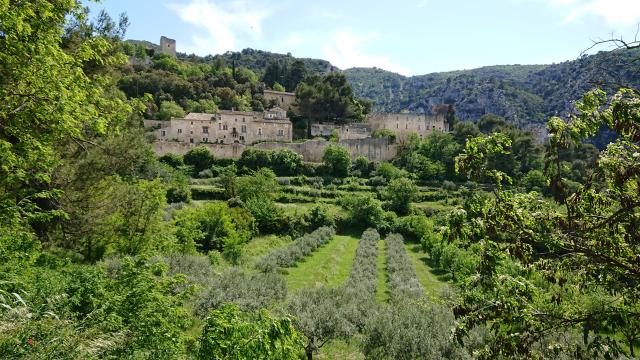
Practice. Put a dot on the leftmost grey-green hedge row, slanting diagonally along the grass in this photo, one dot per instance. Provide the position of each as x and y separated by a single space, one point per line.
301 247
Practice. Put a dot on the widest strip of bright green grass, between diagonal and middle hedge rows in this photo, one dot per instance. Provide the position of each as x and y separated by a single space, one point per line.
328 266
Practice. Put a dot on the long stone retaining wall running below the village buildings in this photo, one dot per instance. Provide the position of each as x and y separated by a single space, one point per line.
311 150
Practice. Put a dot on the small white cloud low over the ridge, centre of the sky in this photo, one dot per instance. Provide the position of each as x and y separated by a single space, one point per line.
345 51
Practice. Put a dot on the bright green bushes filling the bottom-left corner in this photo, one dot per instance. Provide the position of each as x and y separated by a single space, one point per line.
89 313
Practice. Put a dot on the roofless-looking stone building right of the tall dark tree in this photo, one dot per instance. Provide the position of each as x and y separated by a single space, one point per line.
405 124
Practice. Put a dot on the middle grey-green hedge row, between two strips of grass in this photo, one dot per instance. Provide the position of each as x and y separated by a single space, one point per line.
364 271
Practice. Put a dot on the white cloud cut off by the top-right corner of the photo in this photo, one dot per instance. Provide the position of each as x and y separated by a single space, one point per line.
622 13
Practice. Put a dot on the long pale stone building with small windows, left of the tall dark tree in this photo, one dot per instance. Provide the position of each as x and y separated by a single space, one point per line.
225 127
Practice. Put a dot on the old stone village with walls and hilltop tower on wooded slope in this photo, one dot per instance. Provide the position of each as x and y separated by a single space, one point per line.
227 133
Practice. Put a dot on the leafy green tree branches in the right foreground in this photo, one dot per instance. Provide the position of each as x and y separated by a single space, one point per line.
544 271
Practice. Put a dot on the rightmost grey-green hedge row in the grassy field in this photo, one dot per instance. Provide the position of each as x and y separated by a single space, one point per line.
402 280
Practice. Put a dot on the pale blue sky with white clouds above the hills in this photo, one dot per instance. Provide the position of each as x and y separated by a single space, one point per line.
410 37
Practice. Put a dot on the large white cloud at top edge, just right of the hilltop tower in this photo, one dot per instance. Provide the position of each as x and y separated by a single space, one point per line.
224 24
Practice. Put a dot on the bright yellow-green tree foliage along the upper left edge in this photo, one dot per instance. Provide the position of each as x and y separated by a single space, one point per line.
46 99
